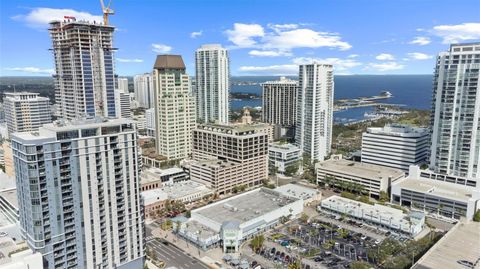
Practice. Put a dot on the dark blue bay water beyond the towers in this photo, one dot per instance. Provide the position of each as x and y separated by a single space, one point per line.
412 91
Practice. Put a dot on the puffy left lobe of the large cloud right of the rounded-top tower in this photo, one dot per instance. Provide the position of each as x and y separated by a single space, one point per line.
242 35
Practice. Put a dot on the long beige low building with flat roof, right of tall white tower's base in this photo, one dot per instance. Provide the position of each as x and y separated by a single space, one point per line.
372 178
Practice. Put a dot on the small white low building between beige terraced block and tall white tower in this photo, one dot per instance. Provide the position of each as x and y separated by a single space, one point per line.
283 155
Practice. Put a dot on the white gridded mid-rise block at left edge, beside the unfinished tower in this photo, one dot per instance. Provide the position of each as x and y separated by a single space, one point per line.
26 111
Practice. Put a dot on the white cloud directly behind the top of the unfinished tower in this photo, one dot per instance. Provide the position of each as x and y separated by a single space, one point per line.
40 17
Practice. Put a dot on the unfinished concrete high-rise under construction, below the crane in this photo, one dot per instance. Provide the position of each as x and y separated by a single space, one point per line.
84 67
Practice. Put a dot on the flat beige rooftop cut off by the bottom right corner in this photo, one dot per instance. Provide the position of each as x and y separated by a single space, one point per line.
462 242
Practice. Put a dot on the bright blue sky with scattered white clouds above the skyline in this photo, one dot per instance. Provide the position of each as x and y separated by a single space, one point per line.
269 37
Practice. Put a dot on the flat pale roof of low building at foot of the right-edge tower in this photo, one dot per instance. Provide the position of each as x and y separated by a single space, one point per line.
436 188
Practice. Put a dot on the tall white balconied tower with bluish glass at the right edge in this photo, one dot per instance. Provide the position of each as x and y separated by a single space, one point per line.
456 112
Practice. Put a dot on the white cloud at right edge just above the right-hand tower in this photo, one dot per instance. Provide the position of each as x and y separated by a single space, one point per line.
457 33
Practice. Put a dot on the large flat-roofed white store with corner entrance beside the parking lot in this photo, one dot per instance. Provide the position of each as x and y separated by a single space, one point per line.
233 220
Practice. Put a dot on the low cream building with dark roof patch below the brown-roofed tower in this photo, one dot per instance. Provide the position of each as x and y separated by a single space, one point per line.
153 178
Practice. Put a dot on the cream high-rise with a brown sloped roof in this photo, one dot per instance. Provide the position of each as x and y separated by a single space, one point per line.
174 107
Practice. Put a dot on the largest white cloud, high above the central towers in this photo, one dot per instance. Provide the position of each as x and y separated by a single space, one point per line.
282 37
